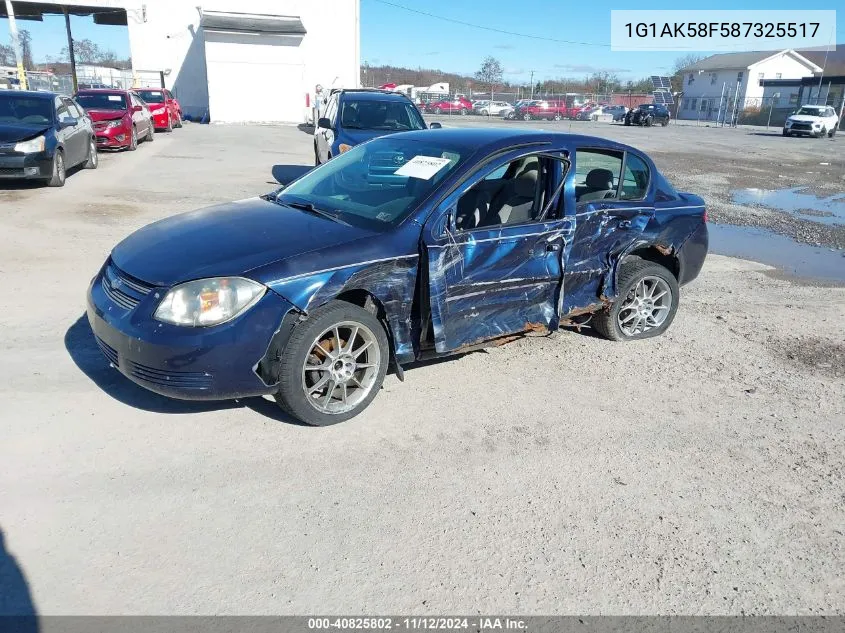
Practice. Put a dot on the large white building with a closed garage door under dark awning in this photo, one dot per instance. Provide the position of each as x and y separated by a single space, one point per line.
238 60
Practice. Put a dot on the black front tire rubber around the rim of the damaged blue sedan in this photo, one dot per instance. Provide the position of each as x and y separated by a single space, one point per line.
291 395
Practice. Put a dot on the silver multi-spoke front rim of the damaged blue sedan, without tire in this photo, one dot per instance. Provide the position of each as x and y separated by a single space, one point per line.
341 367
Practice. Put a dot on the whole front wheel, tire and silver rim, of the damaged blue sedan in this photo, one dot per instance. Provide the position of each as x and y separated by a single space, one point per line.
333 365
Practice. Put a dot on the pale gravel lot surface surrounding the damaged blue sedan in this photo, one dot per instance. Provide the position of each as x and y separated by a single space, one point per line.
701 472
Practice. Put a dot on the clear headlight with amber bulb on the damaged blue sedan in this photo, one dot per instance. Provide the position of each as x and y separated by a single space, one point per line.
209 301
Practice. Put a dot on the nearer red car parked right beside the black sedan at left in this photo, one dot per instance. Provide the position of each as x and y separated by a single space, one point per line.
119 117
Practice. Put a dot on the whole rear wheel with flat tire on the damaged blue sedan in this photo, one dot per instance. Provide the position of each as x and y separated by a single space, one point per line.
645 306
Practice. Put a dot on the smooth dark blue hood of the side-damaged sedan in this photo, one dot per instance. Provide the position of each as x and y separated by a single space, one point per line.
225 240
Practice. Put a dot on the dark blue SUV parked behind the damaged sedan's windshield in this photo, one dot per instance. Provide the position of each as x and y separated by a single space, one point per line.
354 116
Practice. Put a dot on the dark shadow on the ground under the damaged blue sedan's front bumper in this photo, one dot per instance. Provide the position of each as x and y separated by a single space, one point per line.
83 350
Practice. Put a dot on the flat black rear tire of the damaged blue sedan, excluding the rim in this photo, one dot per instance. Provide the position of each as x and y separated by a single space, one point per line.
632 272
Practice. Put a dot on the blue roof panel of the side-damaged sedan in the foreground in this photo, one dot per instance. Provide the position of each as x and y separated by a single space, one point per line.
489 140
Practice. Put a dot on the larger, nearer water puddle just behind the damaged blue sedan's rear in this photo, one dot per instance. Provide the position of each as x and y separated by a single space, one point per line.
794 258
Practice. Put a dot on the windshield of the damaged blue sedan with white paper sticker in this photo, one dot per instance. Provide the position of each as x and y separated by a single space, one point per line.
375 184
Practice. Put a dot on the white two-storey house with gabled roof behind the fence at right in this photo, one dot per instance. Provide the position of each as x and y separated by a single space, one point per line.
736 76
